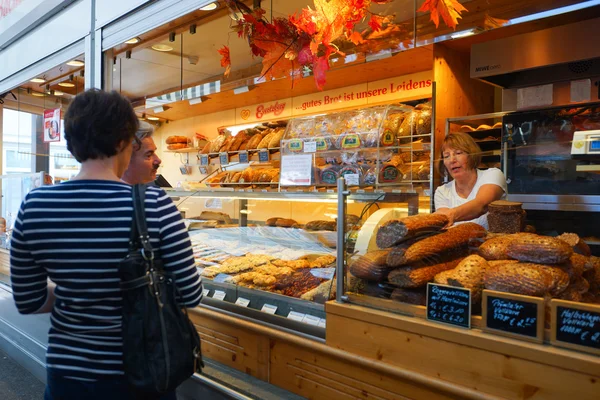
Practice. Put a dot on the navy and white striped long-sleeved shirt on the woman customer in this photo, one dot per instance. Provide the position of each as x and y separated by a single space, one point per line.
75 234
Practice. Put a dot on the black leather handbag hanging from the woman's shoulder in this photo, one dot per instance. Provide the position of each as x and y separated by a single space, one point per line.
161 347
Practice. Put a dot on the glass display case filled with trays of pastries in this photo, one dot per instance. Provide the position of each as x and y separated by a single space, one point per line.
272 257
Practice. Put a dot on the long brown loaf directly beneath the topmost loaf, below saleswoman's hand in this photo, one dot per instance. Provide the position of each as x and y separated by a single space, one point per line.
454 239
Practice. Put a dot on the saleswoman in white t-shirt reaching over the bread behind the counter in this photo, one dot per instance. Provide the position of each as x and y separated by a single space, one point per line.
467 196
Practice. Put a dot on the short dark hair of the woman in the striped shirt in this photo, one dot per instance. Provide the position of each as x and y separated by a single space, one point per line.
97 123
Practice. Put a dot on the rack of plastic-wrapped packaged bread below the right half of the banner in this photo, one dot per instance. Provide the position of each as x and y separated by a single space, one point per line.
380 147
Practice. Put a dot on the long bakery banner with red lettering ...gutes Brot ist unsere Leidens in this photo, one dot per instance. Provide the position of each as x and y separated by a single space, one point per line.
403 88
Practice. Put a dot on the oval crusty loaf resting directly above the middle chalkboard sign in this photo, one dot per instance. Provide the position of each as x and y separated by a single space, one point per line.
519 278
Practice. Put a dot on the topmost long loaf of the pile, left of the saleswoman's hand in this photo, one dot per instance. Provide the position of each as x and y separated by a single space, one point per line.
391 232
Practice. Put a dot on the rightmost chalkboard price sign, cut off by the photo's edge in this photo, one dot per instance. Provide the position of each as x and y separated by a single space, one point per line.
576 325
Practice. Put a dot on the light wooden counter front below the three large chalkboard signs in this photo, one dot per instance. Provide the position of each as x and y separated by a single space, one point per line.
490 364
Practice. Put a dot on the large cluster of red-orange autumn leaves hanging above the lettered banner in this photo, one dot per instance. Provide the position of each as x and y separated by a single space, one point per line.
288 46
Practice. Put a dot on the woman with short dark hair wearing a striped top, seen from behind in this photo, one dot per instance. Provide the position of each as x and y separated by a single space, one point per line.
75 234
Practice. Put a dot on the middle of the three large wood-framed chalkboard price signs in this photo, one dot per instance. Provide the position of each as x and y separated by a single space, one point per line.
513 315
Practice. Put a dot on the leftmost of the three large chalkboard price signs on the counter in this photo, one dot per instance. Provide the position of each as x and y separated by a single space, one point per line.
449 305
